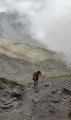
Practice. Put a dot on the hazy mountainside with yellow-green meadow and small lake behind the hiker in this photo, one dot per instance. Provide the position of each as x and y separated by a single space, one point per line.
20 55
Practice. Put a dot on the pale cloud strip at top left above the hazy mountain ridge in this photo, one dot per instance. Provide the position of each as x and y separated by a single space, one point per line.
20 5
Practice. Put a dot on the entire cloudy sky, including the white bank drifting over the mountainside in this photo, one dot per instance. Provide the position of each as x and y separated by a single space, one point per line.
50 21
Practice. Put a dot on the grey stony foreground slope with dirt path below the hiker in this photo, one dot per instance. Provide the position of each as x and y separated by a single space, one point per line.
50 101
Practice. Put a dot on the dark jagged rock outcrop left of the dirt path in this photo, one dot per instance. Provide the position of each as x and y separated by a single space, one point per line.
11 93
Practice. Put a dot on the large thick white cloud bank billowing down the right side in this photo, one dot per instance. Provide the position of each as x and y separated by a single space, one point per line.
52 25
